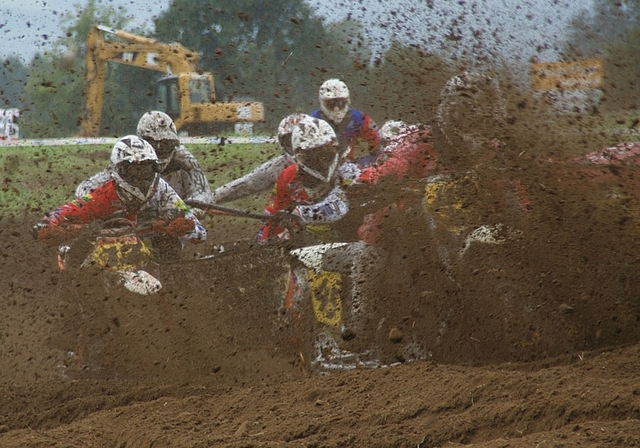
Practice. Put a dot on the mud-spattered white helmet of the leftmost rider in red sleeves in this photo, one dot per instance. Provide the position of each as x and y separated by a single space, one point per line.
134 167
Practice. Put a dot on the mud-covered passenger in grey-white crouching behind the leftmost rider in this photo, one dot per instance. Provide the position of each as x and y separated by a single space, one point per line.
177 165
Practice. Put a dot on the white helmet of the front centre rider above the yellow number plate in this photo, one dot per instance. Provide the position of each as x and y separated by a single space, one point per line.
315 148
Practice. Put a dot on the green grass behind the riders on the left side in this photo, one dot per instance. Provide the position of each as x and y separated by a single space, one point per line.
35 180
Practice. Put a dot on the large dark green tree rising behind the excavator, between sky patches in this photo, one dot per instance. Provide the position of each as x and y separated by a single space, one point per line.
275 52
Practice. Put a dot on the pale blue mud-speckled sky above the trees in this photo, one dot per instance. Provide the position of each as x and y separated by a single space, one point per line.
511 29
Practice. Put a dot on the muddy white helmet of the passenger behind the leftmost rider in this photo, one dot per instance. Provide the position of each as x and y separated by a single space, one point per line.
159 129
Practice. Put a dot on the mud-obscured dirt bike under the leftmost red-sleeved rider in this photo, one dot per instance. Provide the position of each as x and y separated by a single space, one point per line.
112 308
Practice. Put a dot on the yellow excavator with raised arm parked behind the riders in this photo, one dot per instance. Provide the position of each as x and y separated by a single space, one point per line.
186 93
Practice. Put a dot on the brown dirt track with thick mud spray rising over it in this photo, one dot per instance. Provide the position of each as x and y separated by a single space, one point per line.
532 342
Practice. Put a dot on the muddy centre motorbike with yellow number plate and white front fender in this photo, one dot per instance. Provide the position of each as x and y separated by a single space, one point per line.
314 299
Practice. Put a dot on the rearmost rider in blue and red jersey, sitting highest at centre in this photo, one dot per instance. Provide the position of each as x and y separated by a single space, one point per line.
349 124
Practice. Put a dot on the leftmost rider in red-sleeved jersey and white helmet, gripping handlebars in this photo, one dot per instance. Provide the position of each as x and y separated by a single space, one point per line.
135 192
